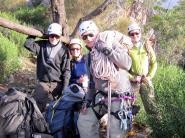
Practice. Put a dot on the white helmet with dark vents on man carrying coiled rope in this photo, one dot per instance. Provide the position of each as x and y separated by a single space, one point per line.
86 26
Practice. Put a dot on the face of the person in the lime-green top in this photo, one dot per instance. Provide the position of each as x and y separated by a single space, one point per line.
135 36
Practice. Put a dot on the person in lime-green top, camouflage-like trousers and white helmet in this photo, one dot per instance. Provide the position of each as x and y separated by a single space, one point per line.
143 69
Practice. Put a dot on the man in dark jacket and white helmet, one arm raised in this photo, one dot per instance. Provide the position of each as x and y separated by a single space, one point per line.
53 65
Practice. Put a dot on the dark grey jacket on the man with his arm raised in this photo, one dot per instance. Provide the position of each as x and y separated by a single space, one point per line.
56 69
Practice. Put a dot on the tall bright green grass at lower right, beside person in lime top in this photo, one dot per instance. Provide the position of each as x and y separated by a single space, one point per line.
170 94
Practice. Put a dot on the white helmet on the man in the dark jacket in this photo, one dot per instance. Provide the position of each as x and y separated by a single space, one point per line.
55 28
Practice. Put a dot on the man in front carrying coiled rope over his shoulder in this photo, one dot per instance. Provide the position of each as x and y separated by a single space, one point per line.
105 47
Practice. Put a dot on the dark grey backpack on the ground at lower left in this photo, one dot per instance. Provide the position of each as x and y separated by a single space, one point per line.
20 115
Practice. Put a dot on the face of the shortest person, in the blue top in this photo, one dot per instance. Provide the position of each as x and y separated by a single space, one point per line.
75 50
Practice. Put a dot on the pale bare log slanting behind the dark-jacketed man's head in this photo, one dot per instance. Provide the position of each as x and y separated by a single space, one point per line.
26 30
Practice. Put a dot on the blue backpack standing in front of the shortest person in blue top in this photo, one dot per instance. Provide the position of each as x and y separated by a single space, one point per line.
62 114
